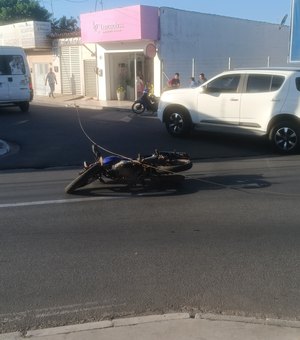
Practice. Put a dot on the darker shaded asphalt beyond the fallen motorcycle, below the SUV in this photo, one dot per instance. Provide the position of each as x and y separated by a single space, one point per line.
52 136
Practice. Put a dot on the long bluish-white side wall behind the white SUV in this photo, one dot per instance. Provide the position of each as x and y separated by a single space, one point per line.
191 43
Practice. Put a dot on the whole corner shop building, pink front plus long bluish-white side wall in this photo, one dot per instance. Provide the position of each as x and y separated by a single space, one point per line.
186 42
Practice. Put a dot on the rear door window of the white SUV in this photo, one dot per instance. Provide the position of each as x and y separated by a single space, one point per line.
263 83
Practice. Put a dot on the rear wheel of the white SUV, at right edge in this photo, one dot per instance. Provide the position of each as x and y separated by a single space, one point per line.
285 137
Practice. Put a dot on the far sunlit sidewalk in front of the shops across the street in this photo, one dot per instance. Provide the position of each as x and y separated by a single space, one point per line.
81 101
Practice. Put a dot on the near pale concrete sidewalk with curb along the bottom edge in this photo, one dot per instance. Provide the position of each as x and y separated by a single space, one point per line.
170 327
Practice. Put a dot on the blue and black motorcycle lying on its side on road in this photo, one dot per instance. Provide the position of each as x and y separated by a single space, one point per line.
157 169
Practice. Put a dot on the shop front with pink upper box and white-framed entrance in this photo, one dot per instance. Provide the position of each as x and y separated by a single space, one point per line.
125 40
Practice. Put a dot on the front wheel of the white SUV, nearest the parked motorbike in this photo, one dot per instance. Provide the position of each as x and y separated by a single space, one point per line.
178 123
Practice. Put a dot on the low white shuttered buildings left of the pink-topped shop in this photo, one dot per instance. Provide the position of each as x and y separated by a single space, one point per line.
73 62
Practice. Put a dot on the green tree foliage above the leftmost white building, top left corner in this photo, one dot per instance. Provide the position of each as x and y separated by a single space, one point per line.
12 11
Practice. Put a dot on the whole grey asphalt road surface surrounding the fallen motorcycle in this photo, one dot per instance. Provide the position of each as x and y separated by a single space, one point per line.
226 241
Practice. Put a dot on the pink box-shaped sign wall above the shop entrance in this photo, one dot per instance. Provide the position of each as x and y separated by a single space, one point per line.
120 24
